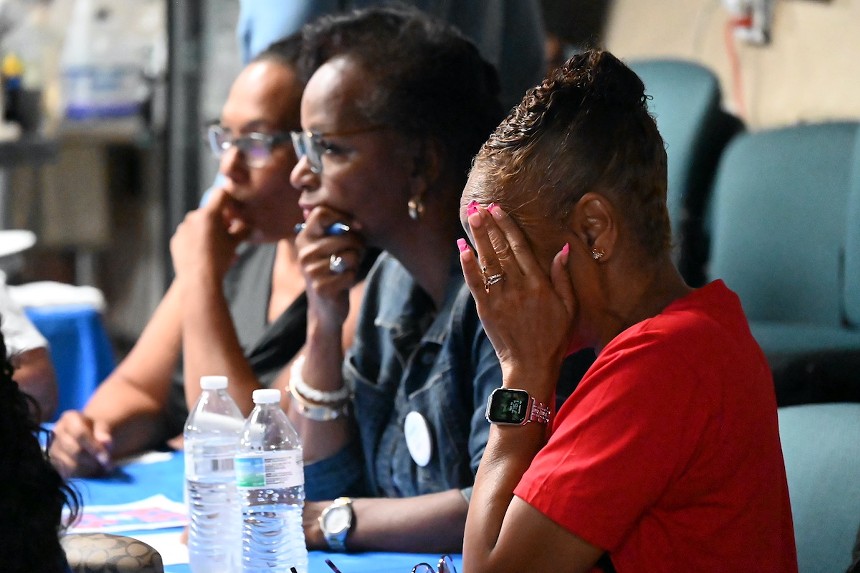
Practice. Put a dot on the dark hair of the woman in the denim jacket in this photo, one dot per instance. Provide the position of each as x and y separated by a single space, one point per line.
430 80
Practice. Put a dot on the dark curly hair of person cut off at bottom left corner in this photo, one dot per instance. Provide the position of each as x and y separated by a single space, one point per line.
32 492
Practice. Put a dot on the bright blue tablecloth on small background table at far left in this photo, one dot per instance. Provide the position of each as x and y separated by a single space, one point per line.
80 350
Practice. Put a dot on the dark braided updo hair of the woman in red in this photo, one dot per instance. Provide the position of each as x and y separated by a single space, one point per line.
586 127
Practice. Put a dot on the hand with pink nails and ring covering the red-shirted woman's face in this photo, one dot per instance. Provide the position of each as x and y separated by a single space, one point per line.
527 314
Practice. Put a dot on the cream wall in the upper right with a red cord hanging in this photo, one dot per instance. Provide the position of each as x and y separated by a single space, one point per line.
809 72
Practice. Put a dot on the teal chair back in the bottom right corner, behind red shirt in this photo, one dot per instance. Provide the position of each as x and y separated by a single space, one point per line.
821 447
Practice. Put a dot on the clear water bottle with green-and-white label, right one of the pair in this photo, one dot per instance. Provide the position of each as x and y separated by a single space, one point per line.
271 483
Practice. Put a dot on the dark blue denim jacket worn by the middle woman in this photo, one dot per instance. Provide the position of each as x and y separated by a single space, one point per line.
407 356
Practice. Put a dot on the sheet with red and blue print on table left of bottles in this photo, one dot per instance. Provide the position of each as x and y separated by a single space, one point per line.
156 512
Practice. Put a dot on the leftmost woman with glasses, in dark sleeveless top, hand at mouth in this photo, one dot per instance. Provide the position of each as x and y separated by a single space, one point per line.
236 306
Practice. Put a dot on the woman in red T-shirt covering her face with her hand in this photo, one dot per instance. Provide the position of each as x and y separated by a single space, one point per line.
667 455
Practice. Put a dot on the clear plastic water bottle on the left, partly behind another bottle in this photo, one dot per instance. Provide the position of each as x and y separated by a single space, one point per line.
211 442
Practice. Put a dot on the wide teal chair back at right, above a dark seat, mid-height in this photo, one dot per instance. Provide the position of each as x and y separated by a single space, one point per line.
780 226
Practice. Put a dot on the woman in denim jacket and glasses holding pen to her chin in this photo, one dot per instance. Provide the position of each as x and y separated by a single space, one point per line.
396 106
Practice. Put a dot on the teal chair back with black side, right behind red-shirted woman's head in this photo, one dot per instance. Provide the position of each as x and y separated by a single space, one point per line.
686 103
